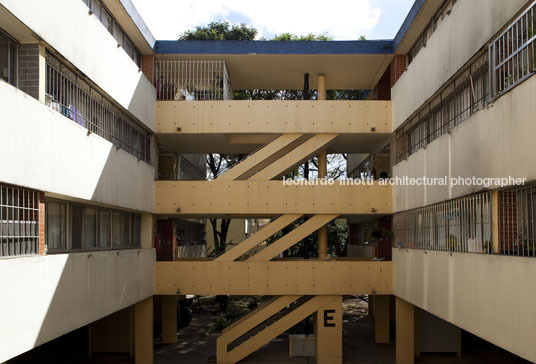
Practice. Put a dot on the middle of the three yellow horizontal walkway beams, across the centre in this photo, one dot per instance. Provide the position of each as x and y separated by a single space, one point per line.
268 198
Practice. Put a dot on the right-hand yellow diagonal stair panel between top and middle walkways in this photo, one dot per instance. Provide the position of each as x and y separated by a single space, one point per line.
296 157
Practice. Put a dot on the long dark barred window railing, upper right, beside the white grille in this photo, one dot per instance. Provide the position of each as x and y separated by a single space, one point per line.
461 99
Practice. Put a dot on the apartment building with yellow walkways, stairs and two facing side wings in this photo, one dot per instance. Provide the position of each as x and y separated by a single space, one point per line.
104 195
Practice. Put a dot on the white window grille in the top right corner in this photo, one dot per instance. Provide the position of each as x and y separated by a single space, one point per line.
512 55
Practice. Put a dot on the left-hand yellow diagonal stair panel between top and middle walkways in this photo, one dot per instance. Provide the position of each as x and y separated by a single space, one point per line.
262 158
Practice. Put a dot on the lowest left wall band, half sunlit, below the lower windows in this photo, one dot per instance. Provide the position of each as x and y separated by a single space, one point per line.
48 296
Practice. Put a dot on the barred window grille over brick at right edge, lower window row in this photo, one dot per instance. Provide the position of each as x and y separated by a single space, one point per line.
517 221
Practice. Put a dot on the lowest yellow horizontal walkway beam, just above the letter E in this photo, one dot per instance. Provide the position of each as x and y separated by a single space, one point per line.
293 277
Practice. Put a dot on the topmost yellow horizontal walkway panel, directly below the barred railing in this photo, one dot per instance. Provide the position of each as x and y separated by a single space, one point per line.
278 117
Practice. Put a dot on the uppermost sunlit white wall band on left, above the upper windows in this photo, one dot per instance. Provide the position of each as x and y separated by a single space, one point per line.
85 42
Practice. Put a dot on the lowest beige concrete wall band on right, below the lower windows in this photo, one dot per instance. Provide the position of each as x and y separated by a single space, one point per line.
490 296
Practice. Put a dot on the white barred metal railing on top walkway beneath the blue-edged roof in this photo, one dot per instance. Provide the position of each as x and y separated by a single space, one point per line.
192 80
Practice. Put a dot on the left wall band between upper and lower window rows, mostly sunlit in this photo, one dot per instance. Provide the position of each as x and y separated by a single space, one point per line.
43 149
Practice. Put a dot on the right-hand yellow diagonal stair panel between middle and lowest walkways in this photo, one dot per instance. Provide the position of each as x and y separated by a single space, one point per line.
285 242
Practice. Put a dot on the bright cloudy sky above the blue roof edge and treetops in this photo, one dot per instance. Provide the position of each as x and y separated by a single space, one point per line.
341 19
